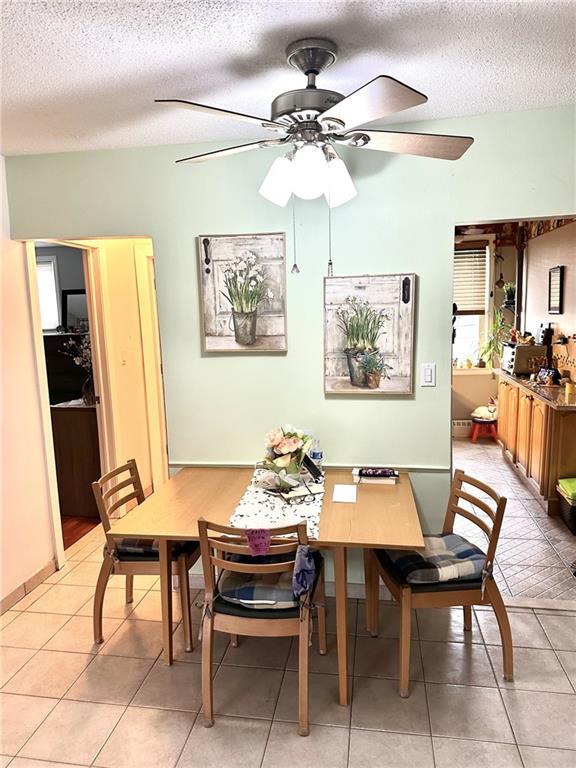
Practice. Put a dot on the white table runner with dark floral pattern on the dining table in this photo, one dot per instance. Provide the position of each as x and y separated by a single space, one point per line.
258 508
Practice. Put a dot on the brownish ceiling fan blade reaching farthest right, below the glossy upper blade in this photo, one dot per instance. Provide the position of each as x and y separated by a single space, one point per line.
443 147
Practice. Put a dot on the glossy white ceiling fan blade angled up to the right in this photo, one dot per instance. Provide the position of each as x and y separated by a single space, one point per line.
380 97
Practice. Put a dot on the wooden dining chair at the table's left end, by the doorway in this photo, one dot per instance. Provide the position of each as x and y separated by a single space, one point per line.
133 557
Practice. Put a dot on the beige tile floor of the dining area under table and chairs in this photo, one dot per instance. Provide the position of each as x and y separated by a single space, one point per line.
66 701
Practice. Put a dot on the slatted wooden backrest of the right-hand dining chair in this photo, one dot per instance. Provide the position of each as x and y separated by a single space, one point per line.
496 516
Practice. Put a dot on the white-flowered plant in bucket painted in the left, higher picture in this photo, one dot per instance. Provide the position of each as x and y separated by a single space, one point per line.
245 289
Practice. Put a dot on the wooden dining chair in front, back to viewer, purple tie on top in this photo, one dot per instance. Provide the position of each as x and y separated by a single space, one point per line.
247 595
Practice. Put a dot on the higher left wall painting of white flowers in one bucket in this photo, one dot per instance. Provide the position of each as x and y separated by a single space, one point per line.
243 292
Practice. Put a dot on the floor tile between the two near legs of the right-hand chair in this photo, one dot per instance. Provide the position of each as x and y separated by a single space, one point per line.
458 663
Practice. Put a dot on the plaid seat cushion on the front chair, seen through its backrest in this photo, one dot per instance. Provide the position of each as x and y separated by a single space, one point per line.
266 591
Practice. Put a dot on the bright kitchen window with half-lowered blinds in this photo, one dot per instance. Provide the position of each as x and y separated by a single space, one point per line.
471 299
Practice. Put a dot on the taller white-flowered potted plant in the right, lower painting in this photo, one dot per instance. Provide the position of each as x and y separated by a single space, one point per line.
362 326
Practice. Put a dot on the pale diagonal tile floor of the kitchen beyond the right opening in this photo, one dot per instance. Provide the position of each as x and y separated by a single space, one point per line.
536 553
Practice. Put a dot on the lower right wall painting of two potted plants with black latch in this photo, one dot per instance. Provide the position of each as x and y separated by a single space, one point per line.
368 334
